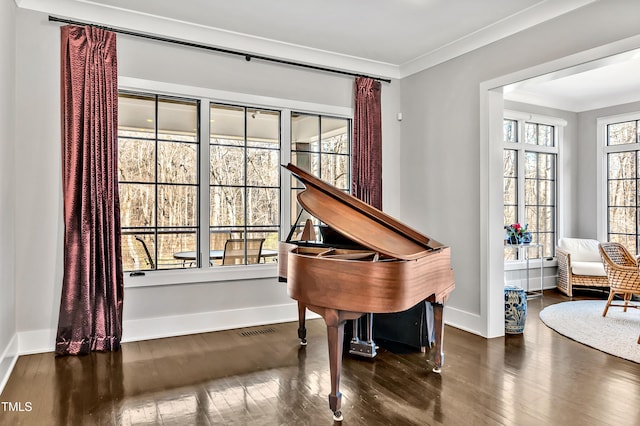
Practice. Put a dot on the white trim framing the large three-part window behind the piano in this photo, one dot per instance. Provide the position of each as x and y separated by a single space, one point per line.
206 95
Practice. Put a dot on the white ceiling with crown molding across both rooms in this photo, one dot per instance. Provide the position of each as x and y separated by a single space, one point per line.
386 38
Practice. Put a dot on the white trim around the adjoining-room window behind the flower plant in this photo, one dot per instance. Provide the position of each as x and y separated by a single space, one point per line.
559 124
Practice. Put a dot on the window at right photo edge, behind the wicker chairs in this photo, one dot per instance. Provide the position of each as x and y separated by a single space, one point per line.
622 156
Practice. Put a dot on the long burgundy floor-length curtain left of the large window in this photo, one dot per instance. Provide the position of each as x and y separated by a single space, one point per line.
92 288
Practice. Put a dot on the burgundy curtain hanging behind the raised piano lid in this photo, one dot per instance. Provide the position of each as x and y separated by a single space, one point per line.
367 142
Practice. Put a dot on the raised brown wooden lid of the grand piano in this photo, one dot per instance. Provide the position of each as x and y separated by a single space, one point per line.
359 221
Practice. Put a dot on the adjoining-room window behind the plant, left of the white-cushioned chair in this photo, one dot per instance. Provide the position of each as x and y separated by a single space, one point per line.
529 179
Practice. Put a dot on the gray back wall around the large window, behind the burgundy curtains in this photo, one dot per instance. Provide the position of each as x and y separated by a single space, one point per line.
157 310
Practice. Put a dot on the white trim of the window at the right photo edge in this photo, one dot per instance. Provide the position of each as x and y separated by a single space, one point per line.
601 166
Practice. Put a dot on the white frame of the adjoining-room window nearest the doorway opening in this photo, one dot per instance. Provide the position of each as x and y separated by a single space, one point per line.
521 149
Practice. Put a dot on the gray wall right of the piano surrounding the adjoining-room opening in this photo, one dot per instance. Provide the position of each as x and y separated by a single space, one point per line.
440 133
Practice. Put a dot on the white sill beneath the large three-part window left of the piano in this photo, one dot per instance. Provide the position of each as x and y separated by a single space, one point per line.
212 274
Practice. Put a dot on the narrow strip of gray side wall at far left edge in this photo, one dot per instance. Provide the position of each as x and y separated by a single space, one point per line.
8 343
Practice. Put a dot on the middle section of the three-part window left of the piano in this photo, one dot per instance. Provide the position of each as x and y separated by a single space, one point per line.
244 166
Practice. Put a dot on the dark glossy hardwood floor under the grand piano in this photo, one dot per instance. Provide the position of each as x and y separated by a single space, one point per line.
262 376
